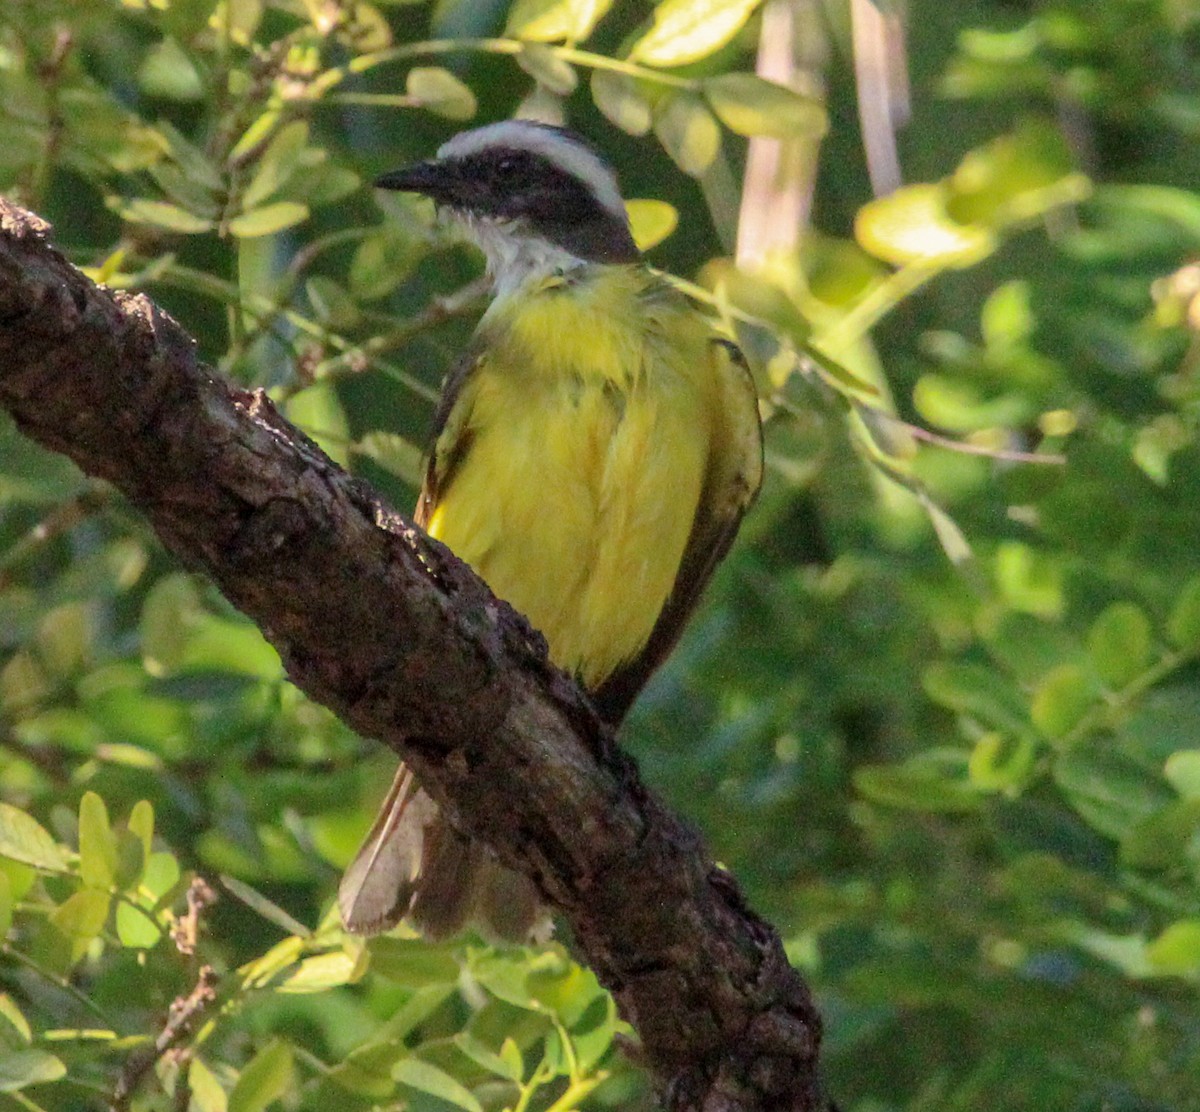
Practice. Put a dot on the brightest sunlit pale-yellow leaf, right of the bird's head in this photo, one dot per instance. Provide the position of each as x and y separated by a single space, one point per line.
913 226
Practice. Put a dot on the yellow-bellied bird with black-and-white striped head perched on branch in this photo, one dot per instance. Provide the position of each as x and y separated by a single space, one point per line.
593 453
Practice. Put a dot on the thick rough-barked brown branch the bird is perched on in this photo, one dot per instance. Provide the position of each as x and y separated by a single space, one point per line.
403 641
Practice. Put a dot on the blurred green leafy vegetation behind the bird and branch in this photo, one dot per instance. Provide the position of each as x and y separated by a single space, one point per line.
941 713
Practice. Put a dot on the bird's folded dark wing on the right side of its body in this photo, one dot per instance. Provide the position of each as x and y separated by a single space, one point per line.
734 478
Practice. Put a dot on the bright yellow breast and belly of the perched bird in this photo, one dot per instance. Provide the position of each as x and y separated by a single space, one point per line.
580 484
